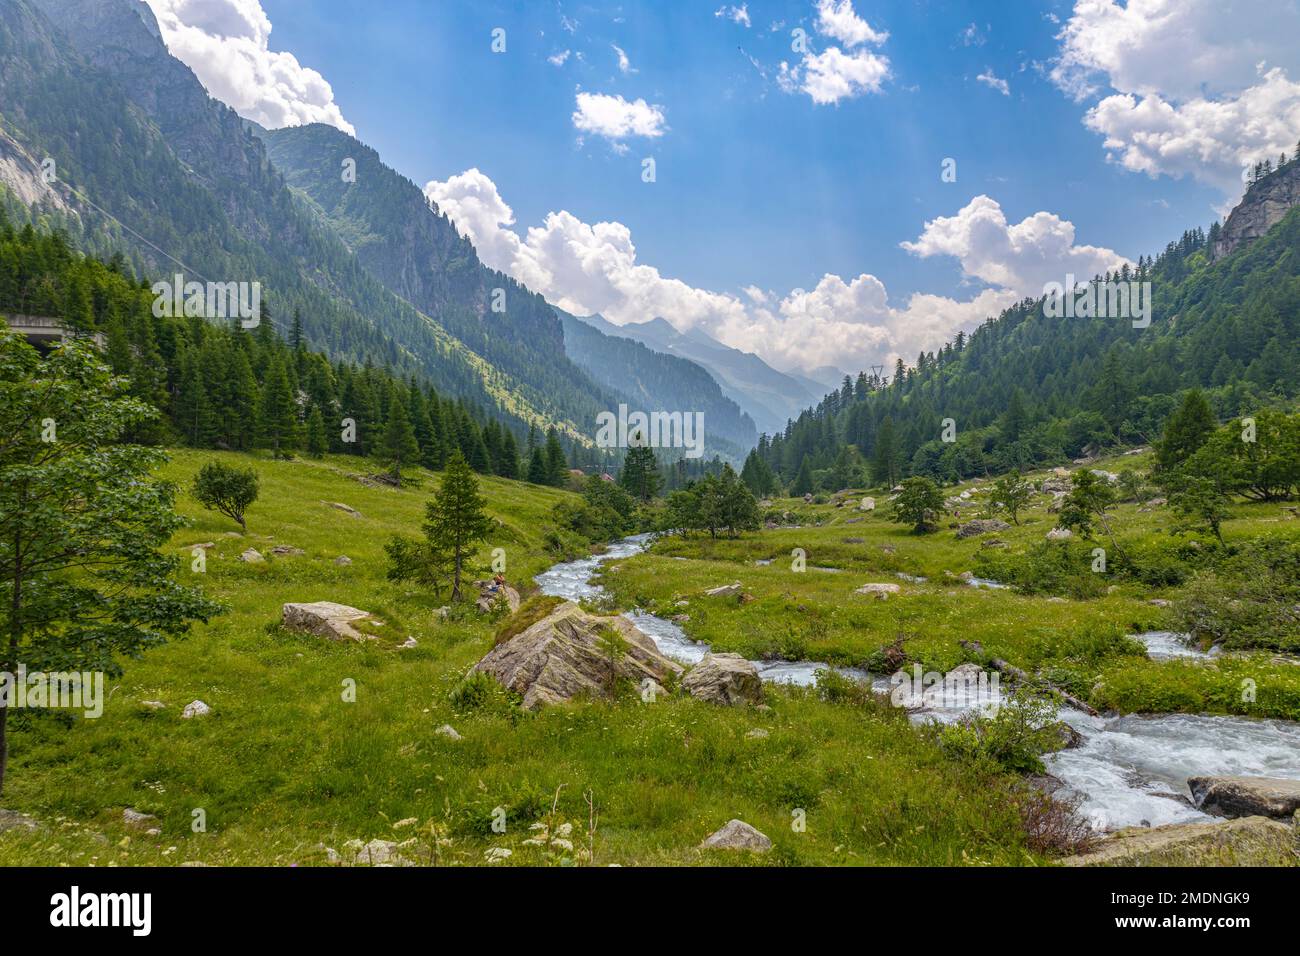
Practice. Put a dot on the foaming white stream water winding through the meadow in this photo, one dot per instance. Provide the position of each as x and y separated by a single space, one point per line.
1129 771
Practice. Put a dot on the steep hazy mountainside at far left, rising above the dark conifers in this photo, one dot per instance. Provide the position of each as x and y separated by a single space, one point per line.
166 174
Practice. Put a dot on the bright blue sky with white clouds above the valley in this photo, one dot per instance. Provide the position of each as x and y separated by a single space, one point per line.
761 185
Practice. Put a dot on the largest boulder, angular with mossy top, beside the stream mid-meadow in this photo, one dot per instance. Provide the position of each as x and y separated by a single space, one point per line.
567 654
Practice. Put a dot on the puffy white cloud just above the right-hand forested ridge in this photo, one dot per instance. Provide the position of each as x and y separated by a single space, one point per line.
1020 258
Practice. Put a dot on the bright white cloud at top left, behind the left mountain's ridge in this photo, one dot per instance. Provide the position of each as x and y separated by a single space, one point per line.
227 45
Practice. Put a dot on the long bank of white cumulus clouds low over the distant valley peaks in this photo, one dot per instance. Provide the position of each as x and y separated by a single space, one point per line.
847 323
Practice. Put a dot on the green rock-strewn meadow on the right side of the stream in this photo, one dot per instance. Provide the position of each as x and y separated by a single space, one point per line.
816 613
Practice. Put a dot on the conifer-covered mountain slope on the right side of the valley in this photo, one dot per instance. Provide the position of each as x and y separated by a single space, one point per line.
1026 388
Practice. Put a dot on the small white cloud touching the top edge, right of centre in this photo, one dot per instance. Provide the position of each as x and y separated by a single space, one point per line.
835 75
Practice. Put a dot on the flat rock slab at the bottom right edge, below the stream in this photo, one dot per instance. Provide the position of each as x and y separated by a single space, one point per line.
1247 842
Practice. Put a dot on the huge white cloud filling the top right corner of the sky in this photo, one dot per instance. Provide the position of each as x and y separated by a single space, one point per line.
1189 88
